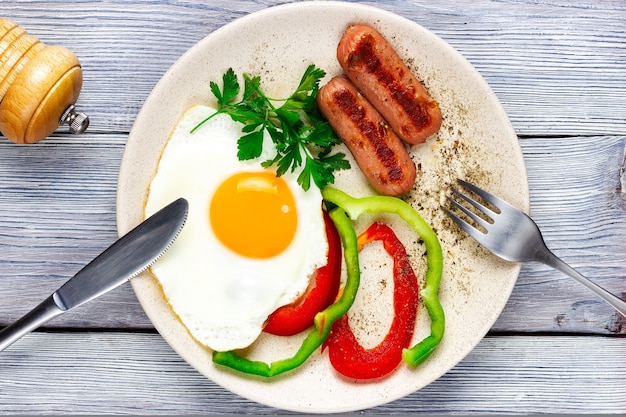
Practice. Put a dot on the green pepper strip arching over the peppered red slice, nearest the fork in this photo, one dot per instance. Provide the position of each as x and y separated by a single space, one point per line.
354 207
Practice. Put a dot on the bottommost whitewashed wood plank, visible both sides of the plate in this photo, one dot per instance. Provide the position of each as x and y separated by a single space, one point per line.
83 373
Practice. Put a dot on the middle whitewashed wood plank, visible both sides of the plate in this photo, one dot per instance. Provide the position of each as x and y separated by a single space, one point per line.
57 212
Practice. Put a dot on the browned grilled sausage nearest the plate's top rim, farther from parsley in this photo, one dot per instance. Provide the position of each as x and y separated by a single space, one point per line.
375 68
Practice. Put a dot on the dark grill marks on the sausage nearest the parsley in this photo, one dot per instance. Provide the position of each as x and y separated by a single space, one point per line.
373 132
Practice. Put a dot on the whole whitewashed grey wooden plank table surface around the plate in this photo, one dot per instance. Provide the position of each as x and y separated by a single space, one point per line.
557 66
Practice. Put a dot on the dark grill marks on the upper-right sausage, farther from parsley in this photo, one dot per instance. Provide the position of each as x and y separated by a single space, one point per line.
365 55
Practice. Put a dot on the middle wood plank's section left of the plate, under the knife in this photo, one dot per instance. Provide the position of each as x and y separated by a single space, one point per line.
57 212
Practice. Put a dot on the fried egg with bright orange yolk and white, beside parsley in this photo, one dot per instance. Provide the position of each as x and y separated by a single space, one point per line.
251 240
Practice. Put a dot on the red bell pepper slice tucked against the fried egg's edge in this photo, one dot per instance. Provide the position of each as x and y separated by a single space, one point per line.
321 292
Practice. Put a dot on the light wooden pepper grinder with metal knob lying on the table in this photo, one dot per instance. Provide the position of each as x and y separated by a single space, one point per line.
39 86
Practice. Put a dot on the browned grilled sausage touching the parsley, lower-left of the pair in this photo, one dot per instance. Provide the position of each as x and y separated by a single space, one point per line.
378 151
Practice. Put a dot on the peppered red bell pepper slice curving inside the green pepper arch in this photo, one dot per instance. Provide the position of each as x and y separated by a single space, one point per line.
346 354
